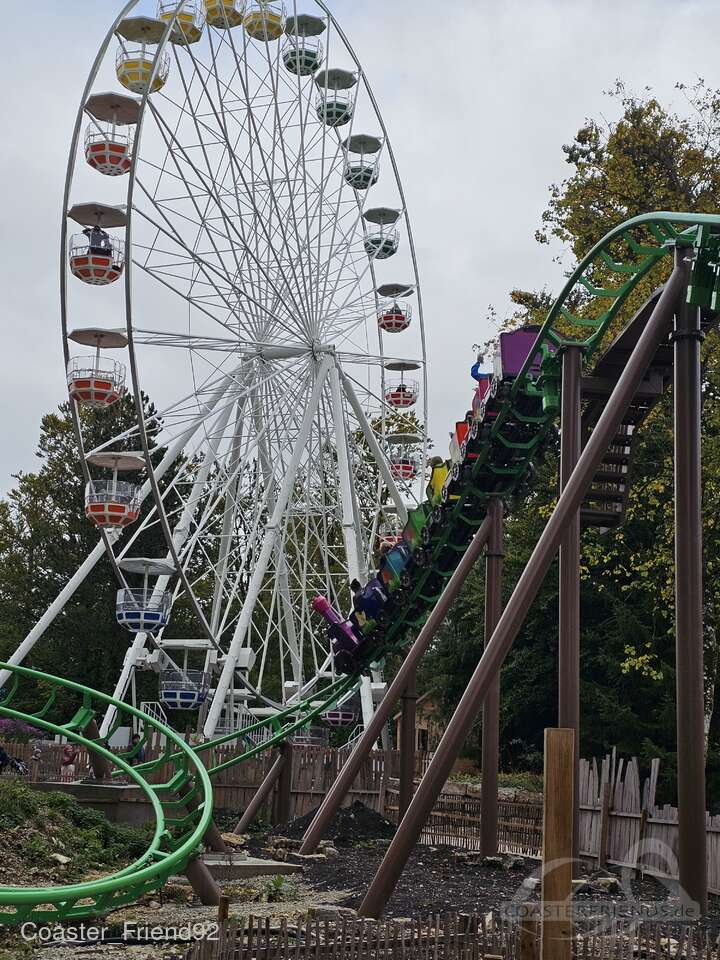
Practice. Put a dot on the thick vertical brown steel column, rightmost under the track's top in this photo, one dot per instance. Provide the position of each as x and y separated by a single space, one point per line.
689 608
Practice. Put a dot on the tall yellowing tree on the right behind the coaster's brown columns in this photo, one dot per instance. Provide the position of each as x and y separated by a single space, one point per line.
650 159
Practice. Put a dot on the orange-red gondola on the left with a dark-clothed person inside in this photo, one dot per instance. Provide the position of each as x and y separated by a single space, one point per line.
96 257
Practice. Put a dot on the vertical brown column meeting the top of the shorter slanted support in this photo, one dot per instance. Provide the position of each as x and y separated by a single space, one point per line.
491 707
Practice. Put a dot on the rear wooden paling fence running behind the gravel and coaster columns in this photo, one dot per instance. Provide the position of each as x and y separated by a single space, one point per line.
620 822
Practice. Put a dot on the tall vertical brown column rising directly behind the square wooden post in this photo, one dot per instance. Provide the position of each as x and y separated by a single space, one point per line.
569 645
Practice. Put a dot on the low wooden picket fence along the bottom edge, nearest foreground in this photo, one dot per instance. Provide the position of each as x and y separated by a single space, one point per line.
453 937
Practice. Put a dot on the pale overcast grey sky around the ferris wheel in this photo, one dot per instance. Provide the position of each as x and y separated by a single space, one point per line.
478 97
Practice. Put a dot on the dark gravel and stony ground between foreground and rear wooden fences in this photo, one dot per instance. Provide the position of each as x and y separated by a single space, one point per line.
436 880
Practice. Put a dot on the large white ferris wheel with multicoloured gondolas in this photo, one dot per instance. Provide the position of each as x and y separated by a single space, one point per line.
236 246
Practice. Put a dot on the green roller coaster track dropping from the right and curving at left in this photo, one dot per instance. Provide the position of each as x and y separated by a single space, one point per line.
177 784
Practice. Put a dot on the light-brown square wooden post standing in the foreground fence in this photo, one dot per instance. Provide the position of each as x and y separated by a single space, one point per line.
557 865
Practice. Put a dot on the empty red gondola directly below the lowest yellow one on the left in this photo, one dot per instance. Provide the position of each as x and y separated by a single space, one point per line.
110 135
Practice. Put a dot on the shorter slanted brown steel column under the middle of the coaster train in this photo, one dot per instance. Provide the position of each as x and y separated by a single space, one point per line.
366 743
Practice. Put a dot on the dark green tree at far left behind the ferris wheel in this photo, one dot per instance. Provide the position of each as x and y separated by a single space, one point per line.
44 537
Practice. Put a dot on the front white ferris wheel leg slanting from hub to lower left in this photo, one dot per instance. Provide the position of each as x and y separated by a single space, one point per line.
225 682
